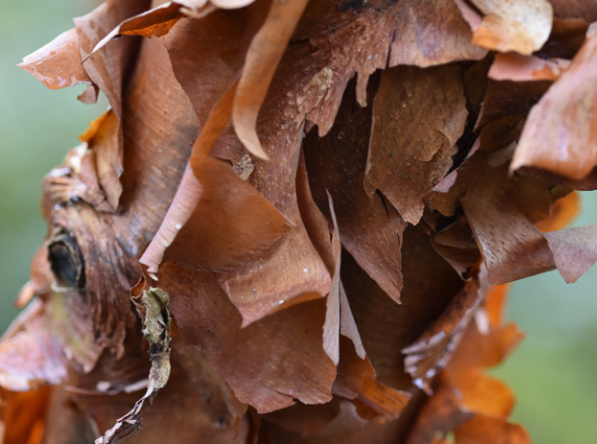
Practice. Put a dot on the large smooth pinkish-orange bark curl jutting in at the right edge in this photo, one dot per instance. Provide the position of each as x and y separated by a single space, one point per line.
559 133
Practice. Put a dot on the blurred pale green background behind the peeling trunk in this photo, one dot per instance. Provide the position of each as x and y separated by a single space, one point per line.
552 373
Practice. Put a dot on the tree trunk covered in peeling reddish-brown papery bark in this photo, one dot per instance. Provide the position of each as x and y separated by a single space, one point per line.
295 221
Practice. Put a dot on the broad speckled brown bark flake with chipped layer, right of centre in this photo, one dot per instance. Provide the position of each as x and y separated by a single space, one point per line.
414 133
